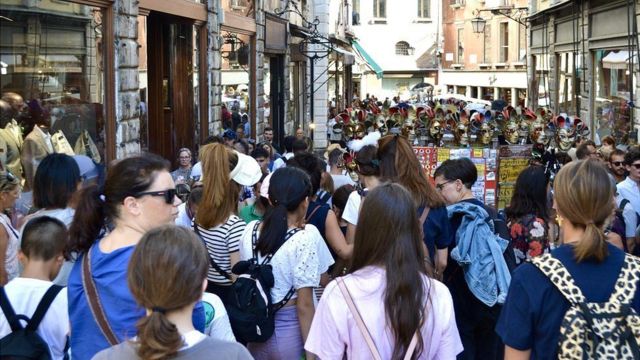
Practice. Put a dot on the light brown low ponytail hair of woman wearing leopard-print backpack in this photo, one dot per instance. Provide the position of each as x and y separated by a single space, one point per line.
584 197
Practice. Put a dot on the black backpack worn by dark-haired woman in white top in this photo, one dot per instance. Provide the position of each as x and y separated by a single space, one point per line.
250 307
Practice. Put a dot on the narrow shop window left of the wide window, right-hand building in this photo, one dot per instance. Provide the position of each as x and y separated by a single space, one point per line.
568 97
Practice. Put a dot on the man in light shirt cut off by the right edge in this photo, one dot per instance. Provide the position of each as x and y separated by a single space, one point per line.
629 192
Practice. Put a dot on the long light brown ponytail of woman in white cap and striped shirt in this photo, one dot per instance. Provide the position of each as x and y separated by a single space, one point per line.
220 192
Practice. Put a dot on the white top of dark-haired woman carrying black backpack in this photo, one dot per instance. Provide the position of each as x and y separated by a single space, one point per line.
298 263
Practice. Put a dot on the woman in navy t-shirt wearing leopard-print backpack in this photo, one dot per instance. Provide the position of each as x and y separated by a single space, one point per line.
586 265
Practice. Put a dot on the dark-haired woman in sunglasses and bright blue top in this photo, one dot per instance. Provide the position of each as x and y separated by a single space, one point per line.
138 195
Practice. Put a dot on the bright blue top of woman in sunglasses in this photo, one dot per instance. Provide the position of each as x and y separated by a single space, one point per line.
109 271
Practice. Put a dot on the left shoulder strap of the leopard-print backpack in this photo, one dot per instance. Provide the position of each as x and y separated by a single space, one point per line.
559 276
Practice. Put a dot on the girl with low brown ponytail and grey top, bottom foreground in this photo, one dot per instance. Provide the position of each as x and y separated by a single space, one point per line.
169 296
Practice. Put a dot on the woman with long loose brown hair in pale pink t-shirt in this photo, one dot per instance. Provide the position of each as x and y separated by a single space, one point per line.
387 272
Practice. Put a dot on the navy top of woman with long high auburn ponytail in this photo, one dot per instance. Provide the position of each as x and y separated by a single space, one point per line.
437 230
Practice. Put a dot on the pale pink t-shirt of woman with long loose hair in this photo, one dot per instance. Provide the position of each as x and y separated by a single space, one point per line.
334 332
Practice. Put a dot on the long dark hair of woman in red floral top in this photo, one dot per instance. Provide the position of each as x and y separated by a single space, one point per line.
529 194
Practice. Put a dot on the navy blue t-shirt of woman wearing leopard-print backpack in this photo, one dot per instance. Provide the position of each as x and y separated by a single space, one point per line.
534 309
